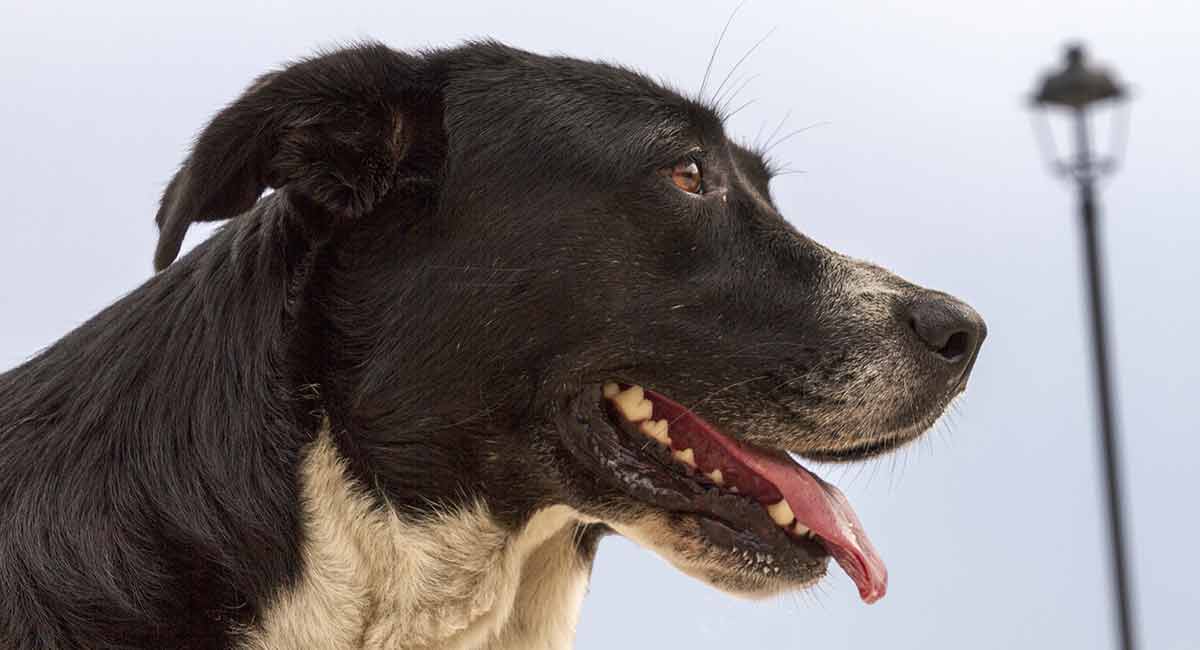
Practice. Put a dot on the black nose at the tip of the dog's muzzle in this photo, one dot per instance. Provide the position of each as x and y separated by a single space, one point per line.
949 328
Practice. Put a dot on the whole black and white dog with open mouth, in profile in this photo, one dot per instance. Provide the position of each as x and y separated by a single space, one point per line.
473 311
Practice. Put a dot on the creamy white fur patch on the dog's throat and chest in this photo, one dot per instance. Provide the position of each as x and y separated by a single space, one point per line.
455 581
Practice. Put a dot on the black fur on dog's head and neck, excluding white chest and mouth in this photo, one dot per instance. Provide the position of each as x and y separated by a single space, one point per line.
457 245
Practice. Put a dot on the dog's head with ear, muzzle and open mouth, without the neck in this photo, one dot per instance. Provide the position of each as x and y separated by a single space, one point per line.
539 280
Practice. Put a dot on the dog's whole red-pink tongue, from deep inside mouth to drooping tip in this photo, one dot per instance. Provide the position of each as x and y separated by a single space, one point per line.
817 504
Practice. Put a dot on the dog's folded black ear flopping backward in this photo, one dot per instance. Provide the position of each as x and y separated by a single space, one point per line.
335 129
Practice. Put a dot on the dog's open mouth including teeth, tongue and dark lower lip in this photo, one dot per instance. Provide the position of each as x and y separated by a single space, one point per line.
725 480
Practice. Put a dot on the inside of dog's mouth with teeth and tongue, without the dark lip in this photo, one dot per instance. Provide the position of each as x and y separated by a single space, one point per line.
800 503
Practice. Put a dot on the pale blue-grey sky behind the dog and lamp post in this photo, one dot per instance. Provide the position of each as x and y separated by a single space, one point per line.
921 158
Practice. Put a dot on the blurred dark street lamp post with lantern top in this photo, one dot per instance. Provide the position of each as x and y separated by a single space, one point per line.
1077 88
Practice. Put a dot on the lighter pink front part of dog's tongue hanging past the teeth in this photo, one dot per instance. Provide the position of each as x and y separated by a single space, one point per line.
825 510
